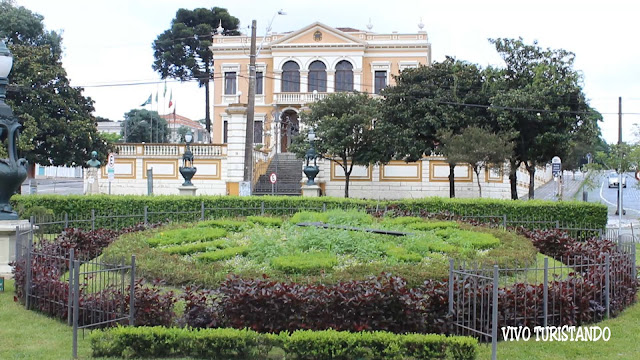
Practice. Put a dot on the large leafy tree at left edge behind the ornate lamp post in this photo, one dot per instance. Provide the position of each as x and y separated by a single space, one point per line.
59 128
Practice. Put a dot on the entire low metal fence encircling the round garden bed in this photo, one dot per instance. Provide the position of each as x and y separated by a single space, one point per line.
477 301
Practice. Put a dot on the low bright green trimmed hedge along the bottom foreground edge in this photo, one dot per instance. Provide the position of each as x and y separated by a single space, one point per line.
224 343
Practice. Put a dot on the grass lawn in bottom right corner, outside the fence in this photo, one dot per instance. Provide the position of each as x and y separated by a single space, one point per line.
625 330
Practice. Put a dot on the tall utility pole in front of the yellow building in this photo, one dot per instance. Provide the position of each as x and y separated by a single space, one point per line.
251 101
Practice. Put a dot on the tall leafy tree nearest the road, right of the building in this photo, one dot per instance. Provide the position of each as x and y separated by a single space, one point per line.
539 97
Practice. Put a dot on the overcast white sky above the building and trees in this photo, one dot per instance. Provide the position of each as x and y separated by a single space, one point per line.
109 42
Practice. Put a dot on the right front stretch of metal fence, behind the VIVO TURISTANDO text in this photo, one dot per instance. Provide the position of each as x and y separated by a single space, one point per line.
482 300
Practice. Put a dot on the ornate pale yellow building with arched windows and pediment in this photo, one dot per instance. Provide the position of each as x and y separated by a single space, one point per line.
299 67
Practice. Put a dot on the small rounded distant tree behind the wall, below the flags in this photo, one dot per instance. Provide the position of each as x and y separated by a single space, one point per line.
139 127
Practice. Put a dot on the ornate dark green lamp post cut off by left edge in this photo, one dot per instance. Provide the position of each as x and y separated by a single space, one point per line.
13 170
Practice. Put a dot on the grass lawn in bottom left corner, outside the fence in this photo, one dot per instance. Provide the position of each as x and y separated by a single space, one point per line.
29 335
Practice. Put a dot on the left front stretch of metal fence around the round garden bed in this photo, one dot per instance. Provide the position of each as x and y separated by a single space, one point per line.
71 285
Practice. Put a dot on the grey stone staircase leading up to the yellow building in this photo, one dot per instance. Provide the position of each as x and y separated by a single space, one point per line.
289 172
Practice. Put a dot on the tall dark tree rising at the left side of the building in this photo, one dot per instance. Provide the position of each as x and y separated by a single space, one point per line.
183 51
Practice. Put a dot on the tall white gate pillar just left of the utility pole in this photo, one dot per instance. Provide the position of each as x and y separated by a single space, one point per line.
235 145
